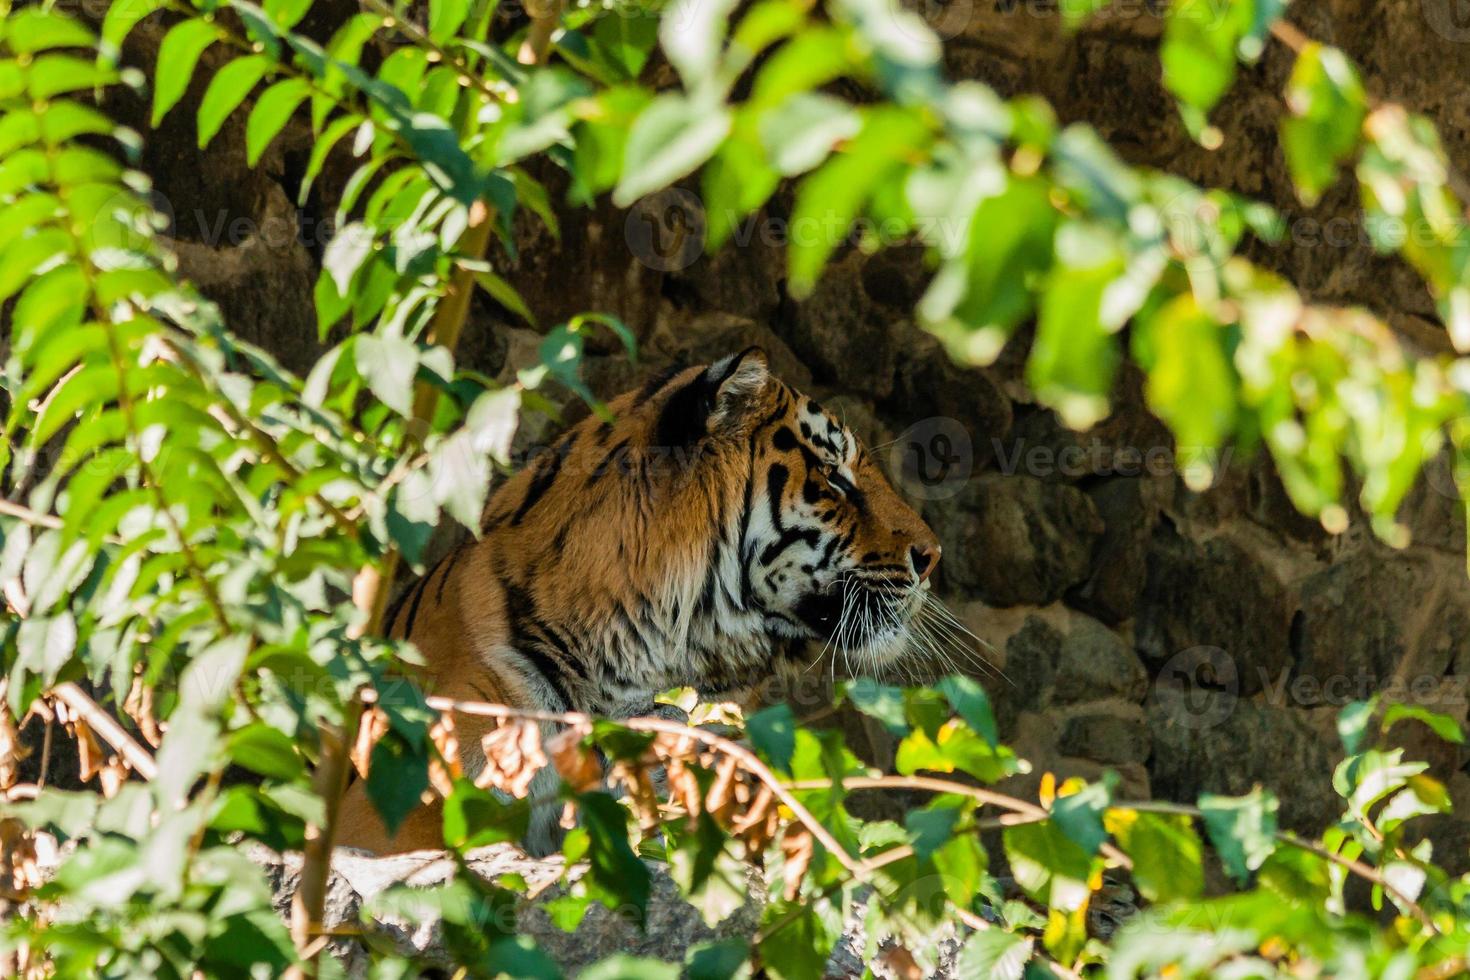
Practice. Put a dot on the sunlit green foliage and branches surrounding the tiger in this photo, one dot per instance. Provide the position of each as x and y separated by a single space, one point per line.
184 519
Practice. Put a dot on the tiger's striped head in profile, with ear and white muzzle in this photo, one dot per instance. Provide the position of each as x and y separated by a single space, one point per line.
827 549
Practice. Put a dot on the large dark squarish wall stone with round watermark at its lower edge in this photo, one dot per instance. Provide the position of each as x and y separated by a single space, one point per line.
1215 594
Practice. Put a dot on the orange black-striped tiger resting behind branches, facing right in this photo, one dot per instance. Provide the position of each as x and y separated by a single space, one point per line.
708 533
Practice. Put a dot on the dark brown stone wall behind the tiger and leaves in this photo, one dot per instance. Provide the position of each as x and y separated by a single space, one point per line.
1191 641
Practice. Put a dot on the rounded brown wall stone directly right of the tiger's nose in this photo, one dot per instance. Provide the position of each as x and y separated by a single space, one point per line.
1027 543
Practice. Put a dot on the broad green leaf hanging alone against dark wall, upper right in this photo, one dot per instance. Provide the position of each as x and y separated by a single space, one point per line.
1327 105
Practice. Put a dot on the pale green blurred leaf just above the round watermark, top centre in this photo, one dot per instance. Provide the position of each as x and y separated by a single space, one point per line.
668 140
